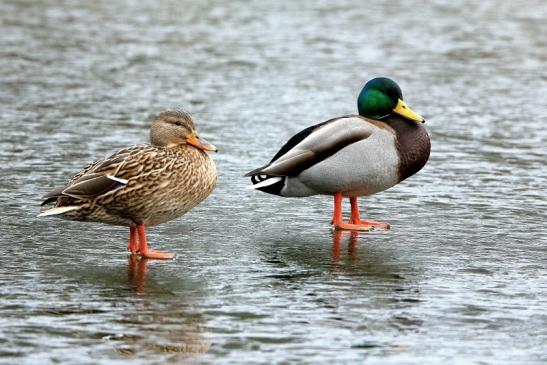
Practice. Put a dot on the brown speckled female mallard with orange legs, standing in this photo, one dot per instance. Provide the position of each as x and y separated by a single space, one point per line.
142 185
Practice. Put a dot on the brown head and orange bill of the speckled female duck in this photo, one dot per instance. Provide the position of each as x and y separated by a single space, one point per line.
176 127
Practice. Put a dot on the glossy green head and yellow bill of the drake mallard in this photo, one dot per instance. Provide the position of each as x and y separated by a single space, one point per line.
381 97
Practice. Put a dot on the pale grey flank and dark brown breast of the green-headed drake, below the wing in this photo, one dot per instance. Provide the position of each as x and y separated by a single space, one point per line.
396 150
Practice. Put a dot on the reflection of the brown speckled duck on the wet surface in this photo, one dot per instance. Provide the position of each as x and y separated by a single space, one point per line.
147 309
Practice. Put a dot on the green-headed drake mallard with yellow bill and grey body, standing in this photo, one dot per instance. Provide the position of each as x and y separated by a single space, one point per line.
351 156
